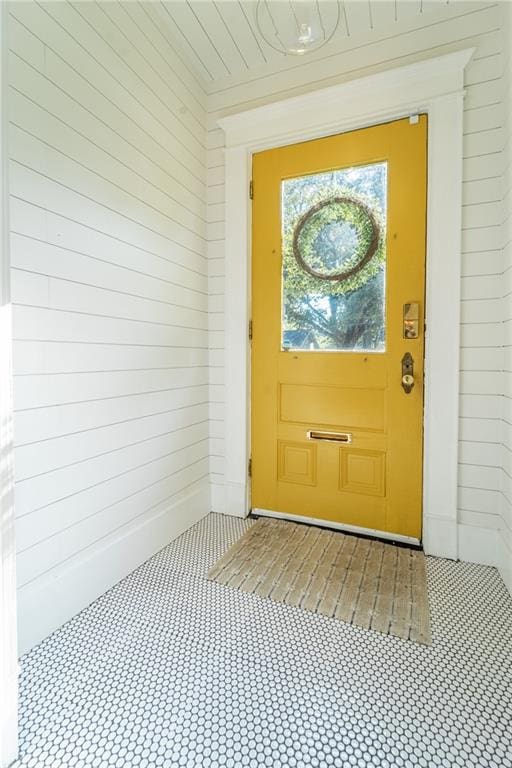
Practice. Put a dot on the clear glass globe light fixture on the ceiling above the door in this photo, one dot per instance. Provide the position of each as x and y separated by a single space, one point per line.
296 28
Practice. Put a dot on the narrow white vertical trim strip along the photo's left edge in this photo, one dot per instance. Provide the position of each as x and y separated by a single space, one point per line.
8 633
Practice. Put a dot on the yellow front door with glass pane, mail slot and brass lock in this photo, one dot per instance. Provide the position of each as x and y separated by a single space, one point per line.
338 283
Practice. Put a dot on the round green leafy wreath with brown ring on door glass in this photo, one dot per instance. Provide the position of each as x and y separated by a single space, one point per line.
344 210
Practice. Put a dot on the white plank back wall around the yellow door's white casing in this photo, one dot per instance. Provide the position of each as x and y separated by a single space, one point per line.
468 25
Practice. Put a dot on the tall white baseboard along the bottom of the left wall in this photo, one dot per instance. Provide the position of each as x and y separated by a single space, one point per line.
51 601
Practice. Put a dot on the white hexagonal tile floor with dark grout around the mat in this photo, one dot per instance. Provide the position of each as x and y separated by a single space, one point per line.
169 670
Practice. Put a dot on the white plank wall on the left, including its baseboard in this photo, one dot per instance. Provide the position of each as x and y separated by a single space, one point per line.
109 285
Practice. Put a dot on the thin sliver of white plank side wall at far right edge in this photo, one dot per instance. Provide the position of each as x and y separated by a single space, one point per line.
505 527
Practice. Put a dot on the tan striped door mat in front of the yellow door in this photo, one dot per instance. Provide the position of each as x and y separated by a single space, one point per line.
364 582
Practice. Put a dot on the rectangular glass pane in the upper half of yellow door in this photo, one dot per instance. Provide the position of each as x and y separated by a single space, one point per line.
334 217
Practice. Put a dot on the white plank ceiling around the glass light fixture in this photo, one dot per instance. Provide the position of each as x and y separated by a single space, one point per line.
221 40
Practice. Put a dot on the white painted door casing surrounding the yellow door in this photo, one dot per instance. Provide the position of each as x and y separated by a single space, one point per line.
434 86
